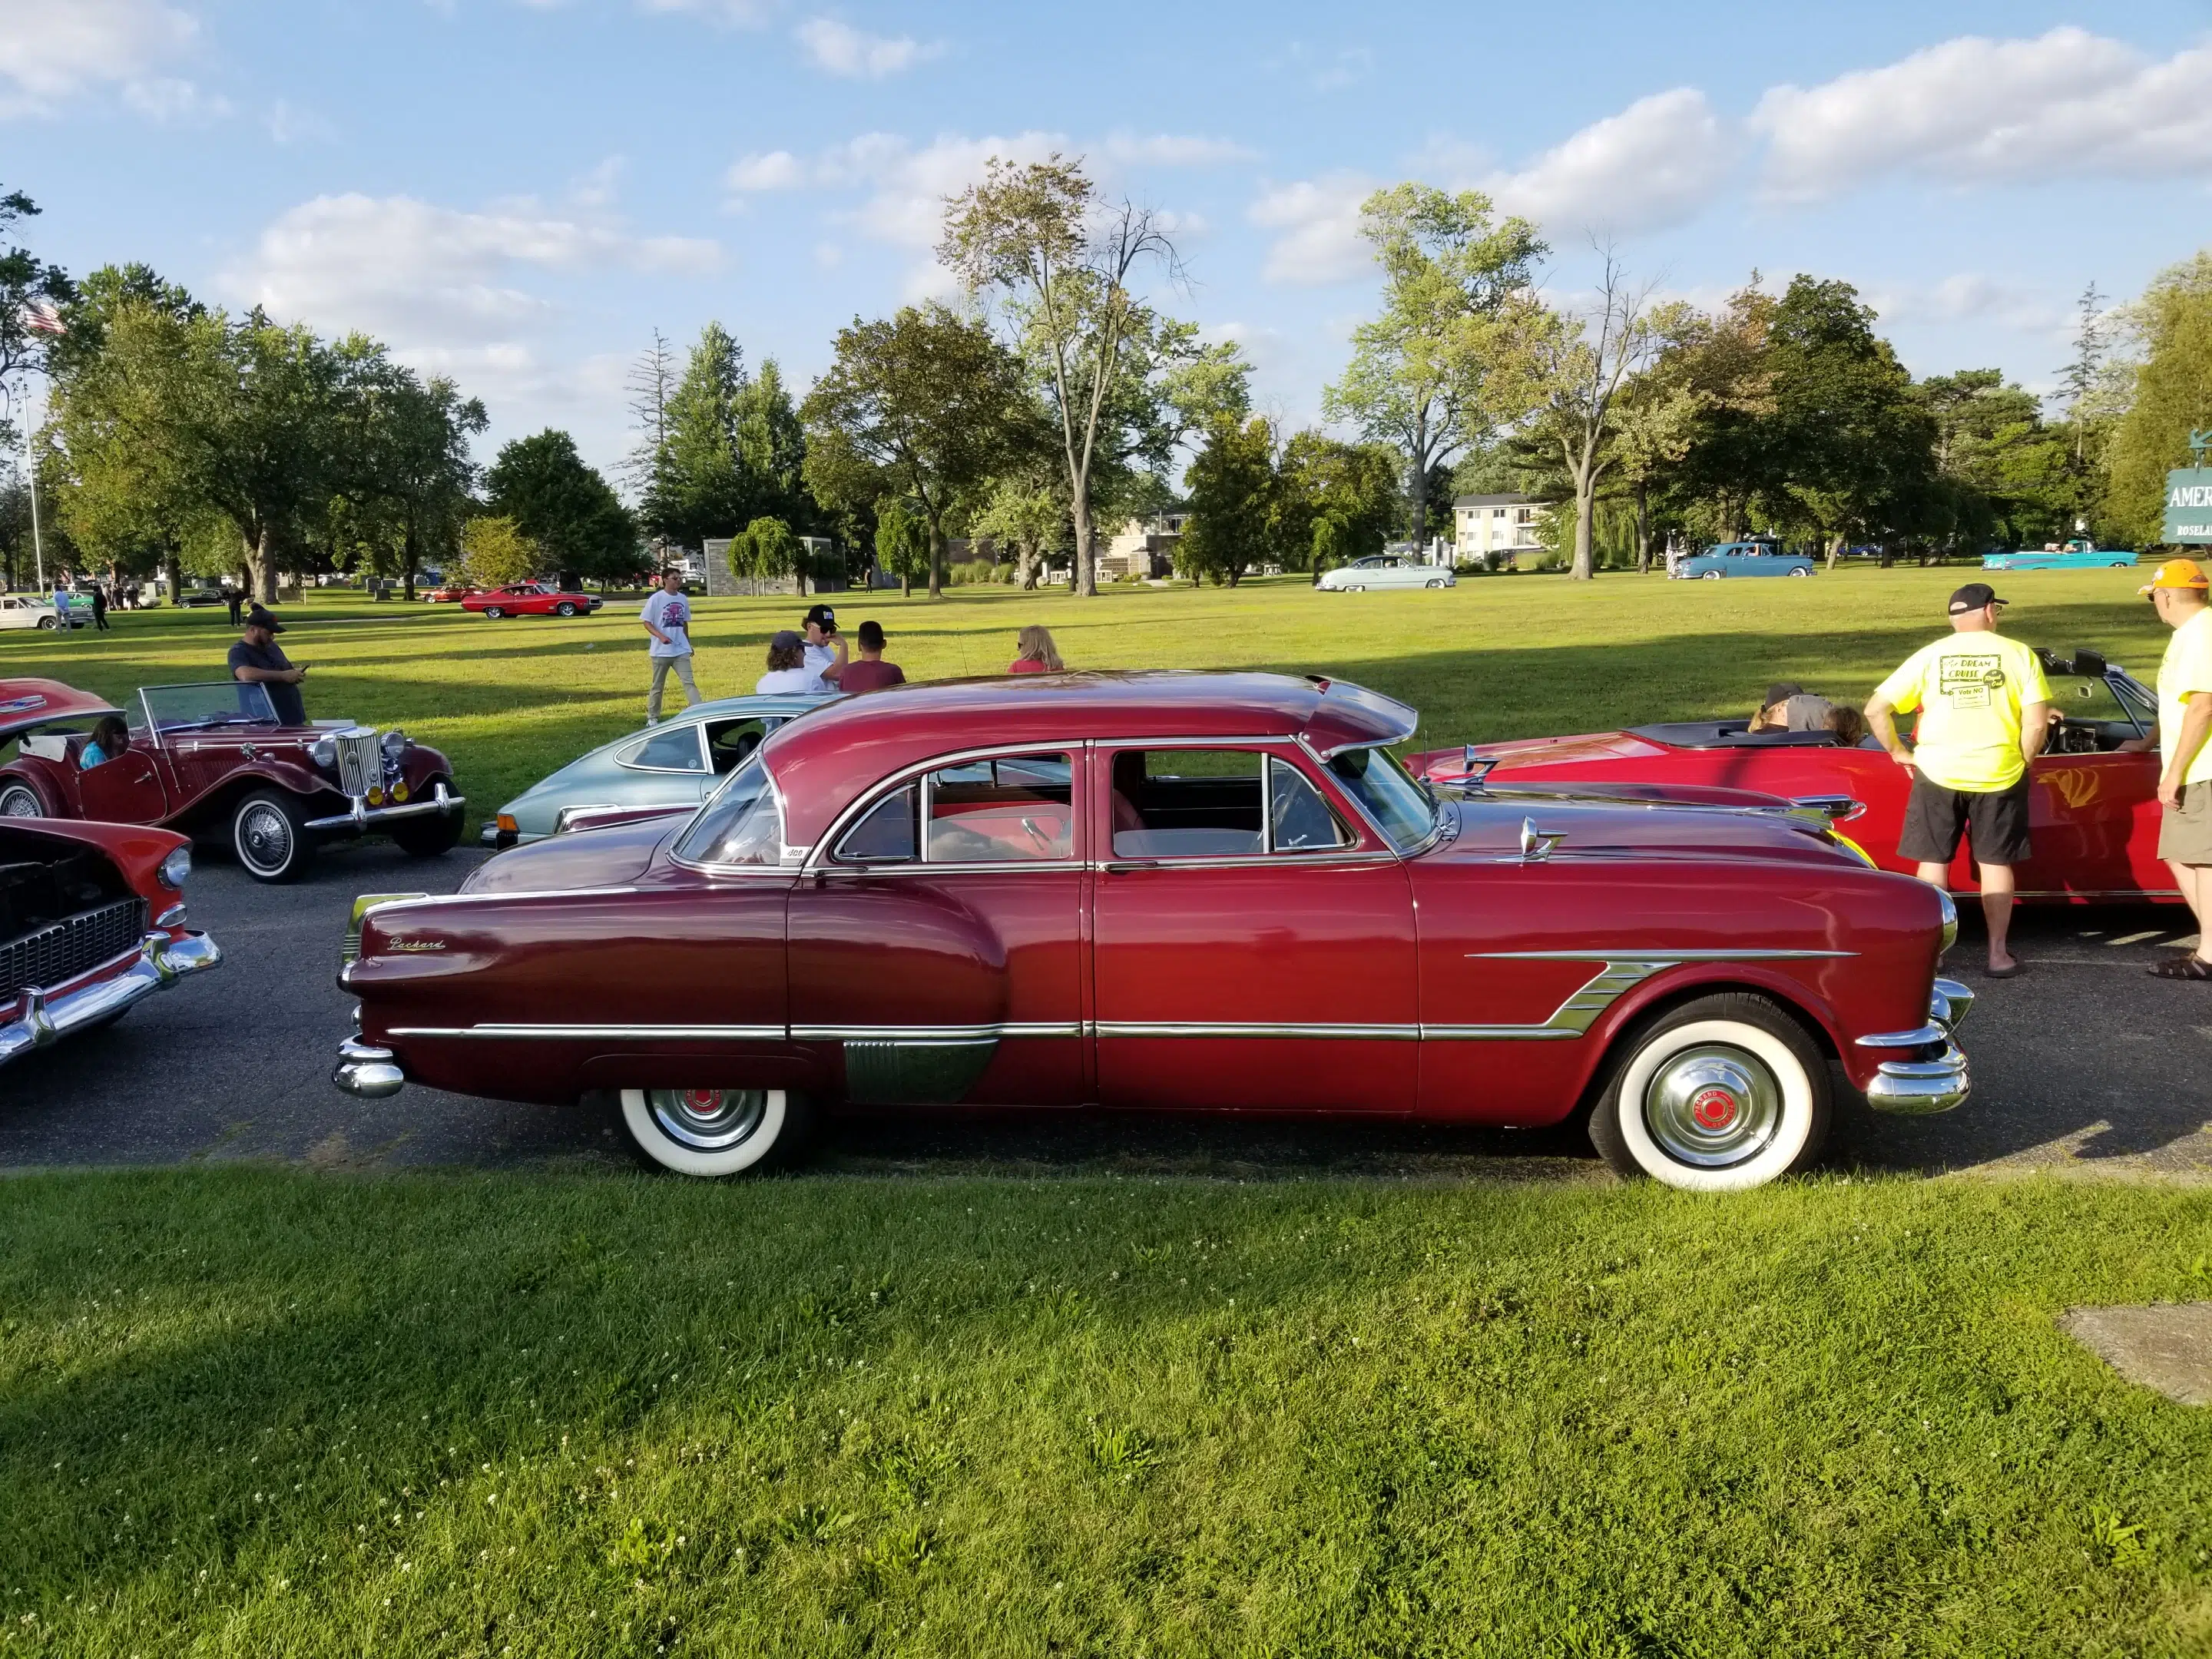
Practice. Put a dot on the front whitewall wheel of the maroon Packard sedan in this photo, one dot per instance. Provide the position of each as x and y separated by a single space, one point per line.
1718 1096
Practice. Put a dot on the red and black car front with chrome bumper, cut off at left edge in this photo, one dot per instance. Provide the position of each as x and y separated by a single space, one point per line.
92 921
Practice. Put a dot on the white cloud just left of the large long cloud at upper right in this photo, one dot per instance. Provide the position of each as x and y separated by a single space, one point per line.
1653 165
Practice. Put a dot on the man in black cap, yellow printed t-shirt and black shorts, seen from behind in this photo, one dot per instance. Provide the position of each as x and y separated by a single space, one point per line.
1985 713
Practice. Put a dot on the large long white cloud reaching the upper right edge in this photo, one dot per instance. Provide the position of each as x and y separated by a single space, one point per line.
1983 112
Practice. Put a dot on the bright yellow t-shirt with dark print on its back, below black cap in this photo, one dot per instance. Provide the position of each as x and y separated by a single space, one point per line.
1970 689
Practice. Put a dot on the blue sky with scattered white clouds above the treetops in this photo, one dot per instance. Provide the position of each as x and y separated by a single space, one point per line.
519 191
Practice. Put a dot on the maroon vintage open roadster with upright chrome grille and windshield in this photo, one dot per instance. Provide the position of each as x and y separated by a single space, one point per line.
213 760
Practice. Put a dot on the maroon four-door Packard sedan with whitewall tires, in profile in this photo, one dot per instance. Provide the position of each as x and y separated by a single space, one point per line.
1211 893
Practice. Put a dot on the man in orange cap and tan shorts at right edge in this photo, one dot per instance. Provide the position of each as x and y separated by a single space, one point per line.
2180 592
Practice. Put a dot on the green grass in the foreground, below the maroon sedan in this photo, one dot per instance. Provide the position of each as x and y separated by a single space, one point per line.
255 1412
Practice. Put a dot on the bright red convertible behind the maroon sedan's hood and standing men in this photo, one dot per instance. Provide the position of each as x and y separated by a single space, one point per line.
2094 806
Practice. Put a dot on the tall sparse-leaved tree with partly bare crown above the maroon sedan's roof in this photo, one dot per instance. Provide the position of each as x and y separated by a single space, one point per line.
1041 236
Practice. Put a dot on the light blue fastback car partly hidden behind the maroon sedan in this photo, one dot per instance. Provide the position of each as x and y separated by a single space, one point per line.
674 766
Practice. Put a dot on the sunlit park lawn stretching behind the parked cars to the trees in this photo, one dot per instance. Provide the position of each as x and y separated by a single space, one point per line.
1492 658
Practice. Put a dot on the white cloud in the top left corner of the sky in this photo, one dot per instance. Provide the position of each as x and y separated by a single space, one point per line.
59 50
